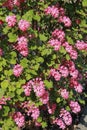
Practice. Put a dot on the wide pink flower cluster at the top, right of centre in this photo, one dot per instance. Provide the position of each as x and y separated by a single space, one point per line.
52 10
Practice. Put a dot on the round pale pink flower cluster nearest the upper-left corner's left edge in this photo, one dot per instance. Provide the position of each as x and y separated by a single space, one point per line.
11 20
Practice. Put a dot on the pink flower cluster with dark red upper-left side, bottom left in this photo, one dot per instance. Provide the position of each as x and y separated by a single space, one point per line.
19 119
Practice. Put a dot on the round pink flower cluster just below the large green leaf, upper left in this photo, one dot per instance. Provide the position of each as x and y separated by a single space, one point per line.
23 25
